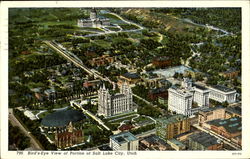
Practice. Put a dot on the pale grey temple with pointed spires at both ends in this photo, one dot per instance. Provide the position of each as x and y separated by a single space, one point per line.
109 105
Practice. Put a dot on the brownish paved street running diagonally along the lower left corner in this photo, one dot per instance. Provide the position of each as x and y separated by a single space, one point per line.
15 122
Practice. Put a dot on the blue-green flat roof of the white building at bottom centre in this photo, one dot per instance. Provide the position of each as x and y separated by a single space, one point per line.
123 137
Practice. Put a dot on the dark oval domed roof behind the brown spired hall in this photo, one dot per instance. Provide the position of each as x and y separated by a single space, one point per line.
62 118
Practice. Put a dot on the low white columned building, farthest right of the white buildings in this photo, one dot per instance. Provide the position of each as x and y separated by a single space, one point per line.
222 94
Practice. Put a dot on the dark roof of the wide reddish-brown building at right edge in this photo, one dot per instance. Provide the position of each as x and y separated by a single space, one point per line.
231 125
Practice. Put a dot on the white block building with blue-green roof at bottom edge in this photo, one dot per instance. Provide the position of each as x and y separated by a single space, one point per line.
124 141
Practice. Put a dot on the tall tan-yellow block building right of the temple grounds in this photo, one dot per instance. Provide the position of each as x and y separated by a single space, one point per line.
169 127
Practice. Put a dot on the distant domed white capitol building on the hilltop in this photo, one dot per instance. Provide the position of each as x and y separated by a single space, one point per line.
93 21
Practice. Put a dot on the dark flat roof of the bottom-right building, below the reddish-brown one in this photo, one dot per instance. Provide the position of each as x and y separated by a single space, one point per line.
204 139
